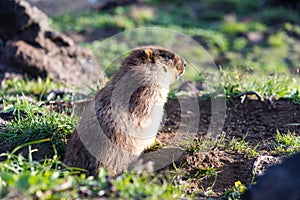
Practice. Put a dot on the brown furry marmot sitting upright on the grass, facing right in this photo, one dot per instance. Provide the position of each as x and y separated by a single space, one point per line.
125 115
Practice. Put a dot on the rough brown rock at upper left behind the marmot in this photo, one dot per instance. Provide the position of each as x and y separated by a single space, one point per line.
30 45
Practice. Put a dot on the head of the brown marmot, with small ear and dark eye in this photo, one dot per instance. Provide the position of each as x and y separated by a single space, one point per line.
163 59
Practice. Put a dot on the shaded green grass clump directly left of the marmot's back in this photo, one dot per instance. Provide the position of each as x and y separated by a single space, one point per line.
32 122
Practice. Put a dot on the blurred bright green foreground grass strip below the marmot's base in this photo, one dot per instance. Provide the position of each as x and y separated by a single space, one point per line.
52 180
